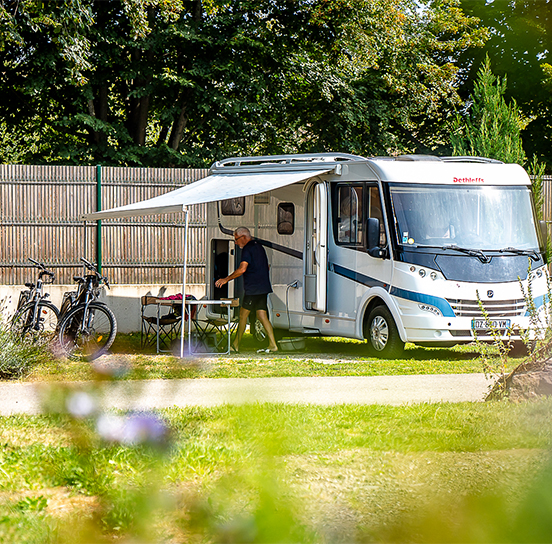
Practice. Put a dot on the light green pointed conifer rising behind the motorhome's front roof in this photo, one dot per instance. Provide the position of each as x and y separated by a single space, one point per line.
492 128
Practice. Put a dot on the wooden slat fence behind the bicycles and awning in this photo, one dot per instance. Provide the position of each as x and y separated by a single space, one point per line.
40 210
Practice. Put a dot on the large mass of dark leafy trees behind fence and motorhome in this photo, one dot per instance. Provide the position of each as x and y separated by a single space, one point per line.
160 83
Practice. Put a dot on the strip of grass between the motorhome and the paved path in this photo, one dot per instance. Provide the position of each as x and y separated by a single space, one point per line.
322 357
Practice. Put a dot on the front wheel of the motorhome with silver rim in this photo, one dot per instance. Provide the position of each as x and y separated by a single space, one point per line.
382 334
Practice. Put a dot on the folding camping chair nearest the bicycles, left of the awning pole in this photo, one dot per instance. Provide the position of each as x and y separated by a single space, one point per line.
160 327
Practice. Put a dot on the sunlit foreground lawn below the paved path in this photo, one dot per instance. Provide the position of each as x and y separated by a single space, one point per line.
469 472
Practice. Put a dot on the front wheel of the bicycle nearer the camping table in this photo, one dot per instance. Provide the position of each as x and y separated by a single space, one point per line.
89 335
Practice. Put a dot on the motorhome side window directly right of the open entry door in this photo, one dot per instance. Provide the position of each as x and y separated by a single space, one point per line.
350 216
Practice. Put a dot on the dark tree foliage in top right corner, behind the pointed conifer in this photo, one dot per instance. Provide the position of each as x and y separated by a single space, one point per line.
519 45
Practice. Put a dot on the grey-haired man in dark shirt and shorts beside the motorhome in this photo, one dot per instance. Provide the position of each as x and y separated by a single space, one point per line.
254 269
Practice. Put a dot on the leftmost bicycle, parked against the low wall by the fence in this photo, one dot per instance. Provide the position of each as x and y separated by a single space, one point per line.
35 316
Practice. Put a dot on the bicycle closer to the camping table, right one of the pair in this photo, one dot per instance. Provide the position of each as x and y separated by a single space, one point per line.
87 326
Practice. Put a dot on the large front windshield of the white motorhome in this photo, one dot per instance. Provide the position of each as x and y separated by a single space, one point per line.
487 218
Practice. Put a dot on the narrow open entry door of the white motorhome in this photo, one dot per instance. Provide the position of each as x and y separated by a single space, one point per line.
316 248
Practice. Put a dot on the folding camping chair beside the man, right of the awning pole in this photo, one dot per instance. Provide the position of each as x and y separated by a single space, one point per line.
212 330
